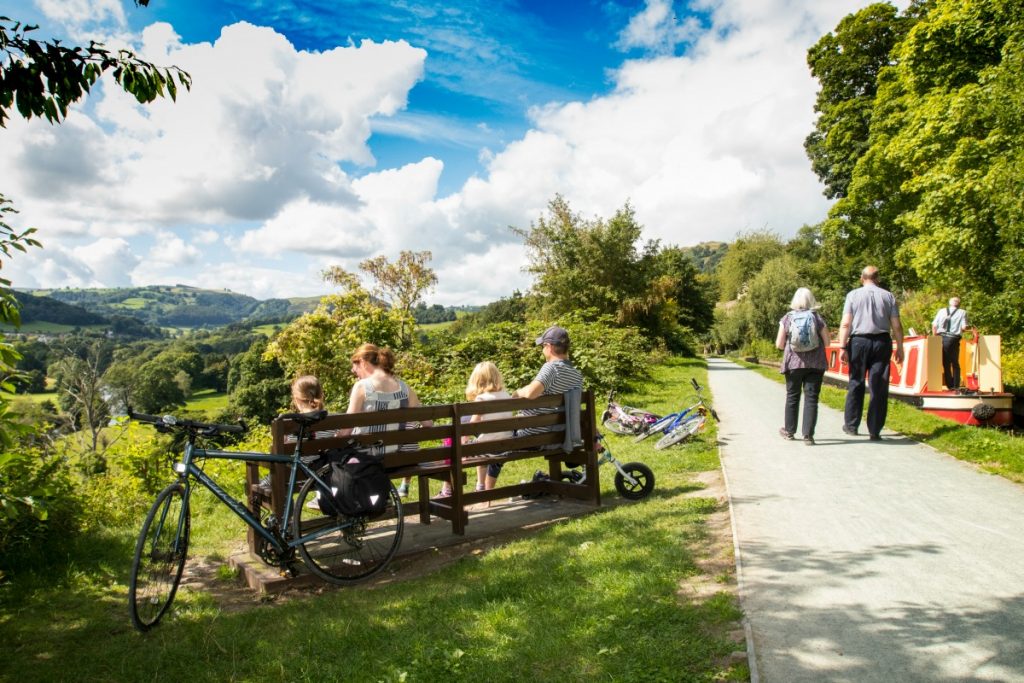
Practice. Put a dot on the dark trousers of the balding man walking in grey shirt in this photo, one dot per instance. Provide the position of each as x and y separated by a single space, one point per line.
869 356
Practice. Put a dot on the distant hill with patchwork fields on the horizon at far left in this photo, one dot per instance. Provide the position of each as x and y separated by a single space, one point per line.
165 307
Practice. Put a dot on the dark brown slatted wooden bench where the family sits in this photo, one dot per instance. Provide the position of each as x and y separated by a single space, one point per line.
428 461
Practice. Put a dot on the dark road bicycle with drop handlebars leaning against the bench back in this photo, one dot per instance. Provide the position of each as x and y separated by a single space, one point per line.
339 549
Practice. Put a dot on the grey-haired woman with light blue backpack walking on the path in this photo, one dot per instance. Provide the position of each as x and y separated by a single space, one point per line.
803 336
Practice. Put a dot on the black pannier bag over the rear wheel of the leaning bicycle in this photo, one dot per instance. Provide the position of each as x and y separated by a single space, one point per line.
359 484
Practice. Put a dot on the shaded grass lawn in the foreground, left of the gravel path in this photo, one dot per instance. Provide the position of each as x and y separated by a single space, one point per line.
601 597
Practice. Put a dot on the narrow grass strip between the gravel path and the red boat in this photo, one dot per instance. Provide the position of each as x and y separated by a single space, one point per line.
993 450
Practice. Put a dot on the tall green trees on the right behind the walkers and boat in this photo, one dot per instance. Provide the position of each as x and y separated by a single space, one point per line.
920 139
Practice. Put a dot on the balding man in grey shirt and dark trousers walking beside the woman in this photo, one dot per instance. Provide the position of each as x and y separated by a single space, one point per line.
871 323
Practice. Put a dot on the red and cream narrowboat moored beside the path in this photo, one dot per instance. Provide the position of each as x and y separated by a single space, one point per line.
919 379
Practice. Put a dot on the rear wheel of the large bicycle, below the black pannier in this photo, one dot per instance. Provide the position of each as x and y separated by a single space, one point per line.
344 549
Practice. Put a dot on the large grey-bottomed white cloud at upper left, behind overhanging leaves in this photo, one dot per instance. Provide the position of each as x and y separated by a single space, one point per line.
264 125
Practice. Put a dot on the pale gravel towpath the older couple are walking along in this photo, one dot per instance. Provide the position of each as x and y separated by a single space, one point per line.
868 562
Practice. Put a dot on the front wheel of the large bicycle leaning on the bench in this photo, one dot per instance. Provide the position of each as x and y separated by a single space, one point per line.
160 558
